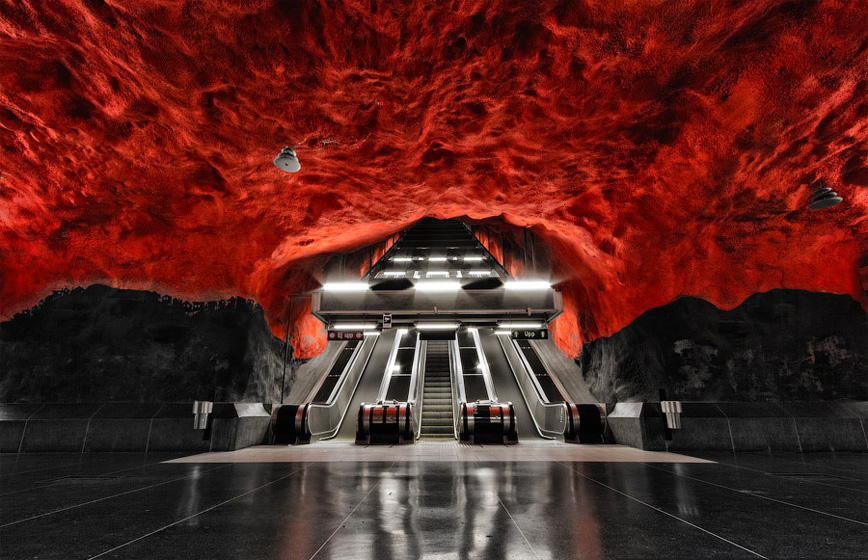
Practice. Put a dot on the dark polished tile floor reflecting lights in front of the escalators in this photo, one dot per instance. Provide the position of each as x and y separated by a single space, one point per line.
149 506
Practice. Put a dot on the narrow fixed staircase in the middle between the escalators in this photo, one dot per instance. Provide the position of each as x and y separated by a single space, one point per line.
437 419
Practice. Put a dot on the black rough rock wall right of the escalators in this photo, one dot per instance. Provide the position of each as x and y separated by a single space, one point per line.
776 345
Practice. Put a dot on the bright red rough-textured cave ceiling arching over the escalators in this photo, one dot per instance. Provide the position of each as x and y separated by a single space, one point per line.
660 148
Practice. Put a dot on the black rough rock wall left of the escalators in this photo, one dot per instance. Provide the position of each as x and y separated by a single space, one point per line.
102 343
